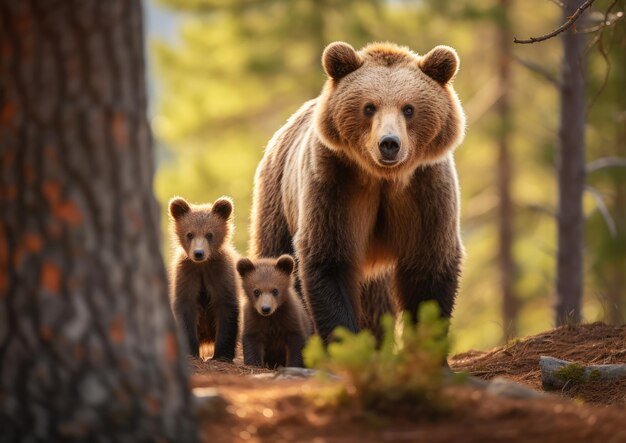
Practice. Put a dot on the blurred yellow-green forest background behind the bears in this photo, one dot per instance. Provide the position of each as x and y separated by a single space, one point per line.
226 74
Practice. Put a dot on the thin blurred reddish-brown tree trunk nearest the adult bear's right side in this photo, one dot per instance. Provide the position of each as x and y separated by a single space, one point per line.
505 207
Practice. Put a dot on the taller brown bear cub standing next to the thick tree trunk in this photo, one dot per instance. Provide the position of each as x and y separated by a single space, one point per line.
204 286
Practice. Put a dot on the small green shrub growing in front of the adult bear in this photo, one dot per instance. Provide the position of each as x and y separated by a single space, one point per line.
403 374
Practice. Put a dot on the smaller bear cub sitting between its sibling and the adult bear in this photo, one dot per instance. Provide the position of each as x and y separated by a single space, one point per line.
276 325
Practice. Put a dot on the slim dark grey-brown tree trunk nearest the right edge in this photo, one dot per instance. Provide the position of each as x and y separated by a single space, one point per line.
571 167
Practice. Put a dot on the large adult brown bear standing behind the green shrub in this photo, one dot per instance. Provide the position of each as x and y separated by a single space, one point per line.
356 223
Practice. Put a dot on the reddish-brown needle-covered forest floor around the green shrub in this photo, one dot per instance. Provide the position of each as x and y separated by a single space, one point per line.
258 407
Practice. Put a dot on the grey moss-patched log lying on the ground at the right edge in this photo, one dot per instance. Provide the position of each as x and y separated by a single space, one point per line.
557 374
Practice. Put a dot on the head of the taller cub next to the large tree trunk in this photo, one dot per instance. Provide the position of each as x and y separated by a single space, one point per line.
201 230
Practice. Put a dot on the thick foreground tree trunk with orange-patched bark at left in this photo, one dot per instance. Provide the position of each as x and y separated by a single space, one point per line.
88 348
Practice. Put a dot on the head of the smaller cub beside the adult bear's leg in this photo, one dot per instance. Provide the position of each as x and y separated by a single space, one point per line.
266 282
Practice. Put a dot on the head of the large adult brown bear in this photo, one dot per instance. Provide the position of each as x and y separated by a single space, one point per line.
389 109
